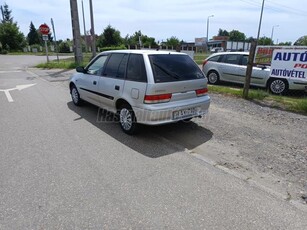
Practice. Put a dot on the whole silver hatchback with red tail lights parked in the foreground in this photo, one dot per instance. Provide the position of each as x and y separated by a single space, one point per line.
143 87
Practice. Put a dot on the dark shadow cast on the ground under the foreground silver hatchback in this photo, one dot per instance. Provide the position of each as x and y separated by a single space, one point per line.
151 141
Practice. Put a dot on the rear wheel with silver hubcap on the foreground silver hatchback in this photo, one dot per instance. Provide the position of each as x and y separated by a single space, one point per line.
127 119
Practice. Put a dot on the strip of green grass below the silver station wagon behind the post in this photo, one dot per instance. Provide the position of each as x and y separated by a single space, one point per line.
289 103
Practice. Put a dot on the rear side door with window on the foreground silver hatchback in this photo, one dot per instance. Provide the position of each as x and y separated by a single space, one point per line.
111 82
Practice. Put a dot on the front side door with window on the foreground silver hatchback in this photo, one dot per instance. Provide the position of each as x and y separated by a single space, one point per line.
88 84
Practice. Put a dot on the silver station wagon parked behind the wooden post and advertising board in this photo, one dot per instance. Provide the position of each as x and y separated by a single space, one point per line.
231 67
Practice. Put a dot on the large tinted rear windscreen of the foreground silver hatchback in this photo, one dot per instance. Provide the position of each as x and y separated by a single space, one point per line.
170 67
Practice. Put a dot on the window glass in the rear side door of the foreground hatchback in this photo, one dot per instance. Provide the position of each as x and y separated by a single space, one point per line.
115 66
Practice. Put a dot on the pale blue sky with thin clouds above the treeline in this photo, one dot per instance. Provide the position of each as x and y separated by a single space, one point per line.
162 19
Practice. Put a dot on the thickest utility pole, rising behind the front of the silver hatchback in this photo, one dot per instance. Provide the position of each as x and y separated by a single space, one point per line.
76 31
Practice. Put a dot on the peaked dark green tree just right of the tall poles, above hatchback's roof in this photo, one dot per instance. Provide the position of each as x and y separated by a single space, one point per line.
110 37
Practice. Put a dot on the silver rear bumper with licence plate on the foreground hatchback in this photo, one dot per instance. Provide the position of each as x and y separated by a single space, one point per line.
163 113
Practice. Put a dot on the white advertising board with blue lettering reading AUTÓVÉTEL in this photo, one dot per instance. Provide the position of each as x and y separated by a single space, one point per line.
288 63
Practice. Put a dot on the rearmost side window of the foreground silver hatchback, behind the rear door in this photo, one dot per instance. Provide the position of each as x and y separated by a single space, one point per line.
136 68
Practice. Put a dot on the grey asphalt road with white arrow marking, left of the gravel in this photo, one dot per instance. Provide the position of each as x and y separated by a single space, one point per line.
62 167
